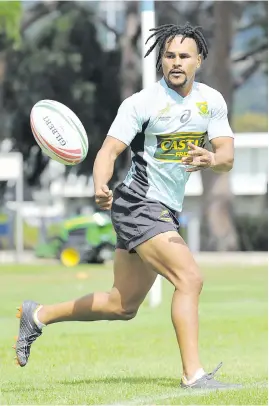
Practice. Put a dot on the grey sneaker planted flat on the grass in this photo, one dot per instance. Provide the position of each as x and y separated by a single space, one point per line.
208 382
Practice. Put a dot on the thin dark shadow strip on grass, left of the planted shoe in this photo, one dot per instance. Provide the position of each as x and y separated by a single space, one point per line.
162 381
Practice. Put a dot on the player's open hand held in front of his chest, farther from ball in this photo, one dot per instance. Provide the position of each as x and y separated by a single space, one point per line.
199 158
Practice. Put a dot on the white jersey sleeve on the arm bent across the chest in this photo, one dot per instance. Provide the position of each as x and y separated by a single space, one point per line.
218 124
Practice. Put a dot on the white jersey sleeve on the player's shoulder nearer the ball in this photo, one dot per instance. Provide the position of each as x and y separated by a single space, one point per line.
128 121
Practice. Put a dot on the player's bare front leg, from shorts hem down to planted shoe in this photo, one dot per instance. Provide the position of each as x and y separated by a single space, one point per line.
168 254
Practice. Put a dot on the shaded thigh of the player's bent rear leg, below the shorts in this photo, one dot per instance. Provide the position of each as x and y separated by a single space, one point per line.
132 279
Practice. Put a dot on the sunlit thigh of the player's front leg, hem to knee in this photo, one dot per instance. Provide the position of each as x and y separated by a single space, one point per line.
169 255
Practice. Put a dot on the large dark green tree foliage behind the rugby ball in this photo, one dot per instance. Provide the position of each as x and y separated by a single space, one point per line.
63 62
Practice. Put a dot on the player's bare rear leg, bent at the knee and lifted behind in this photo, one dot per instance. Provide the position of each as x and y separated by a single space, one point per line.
132 281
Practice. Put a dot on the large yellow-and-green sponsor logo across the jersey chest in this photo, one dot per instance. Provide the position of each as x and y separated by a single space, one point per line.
172 147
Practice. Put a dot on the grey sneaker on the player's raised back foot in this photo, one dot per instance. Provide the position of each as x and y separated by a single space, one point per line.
28 331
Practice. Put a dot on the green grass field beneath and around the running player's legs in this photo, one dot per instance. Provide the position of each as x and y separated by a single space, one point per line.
135 362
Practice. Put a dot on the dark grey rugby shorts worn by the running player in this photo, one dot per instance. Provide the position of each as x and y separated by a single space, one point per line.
136 219
